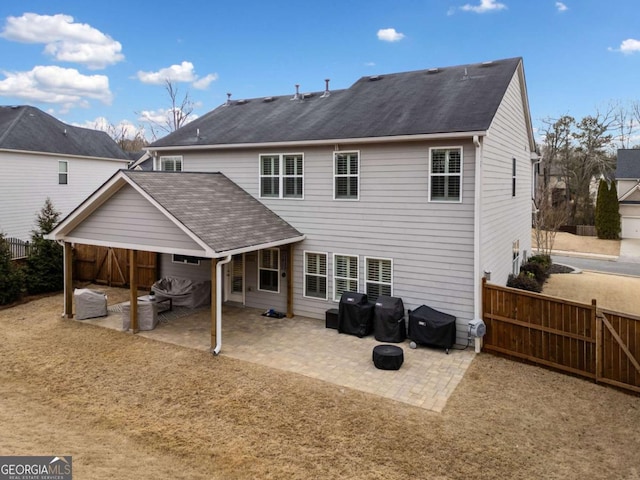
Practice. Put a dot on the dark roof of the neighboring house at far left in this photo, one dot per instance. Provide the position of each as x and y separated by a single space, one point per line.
29 129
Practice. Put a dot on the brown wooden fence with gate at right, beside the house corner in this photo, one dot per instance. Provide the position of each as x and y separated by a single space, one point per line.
573 337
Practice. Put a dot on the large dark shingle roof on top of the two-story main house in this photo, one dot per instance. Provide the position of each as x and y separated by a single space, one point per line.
453 99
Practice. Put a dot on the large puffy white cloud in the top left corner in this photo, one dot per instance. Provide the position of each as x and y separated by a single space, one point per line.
64 39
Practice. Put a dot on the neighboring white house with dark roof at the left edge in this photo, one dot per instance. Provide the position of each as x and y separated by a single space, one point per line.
43 157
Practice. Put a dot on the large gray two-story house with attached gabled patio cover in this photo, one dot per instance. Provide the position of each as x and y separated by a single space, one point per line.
414 185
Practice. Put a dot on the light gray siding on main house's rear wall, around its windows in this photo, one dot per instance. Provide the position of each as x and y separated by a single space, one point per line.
431 244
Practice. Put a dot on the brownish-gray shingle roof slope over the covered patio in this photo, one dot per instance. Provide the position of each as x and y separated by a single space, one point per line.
214 208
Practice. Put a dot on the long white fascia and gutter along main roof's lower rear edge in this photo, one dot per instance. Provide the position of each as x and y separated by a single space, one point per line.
334 141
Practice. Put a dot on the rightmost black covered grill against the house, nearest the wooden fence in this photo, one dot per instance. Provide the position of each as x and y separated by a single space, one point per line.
431 327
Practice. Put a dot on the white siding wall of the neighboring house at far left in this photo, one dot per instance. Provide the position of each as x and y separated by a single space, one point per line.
28 179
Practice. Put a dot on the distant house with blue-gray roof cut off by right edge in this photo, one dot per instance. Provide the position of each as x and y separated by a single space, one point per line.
628 186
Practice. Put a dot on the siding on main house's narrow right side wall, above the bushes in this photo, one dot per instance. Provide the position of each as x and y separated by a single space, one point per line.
505 218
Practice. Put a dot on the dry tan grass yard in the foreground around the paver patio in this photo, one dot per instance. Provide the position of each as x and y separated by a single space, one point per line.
130 408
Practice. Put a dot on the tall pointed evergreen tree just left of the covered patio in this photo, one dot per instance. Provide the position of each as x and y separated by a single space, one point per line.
45 265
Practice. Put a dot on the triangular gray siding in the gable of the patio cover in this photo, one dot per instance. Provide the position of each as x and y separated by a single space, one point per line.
127 217
